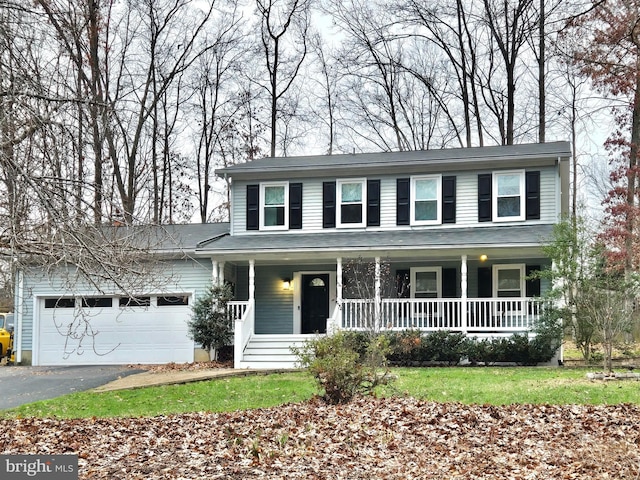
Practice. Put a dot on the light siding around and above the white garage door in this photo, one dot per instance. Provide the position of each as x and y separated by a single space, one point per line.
182 276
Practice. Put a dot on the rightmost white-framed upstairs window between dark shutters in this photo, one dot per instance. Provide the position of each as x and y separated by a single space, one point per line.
508 197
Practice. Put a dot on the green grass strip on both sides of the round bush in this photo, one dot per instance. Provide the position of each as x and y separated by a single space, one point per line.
479 385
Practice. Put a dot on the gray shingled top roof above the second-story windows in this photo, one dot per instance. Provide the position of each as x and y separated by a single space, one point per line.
533 153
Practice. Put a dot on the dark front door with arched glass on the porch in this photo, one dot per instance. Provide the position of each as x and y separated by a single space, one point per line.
315 303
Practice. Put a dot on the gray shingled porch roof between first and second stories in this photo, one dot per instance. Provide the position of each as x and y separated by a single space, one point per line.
335 242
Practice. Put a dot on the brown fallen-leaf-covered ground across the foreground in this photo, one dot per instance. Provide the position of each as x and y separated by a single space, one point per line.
399 438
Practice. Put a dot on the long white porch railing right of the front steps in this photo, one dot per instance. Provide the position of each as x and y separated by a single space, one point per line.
466 315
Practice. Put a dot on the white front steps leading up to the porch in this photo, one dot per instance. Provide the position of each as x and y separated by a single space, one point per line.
272 351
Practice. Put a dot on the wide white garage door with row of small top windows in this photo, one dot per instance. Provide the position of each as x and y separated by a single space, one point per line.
113 330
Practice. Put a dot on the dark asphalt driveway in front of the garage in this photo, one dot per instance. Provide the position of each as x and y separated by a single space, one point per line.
20 385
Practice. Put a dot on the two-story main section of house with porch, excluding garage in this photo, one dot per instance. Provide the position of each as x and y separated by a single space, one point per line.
460 229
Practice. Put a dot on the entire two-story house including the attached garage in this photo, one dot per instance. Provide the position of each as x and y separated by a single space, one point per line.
455 232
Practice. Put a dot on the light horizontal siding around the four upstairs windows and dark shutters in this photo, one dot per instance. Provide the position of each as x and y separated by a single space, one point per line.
466 204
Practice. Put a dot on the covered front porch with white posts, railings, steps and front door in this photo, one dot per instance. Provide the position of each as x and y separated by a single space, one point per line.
289 299
